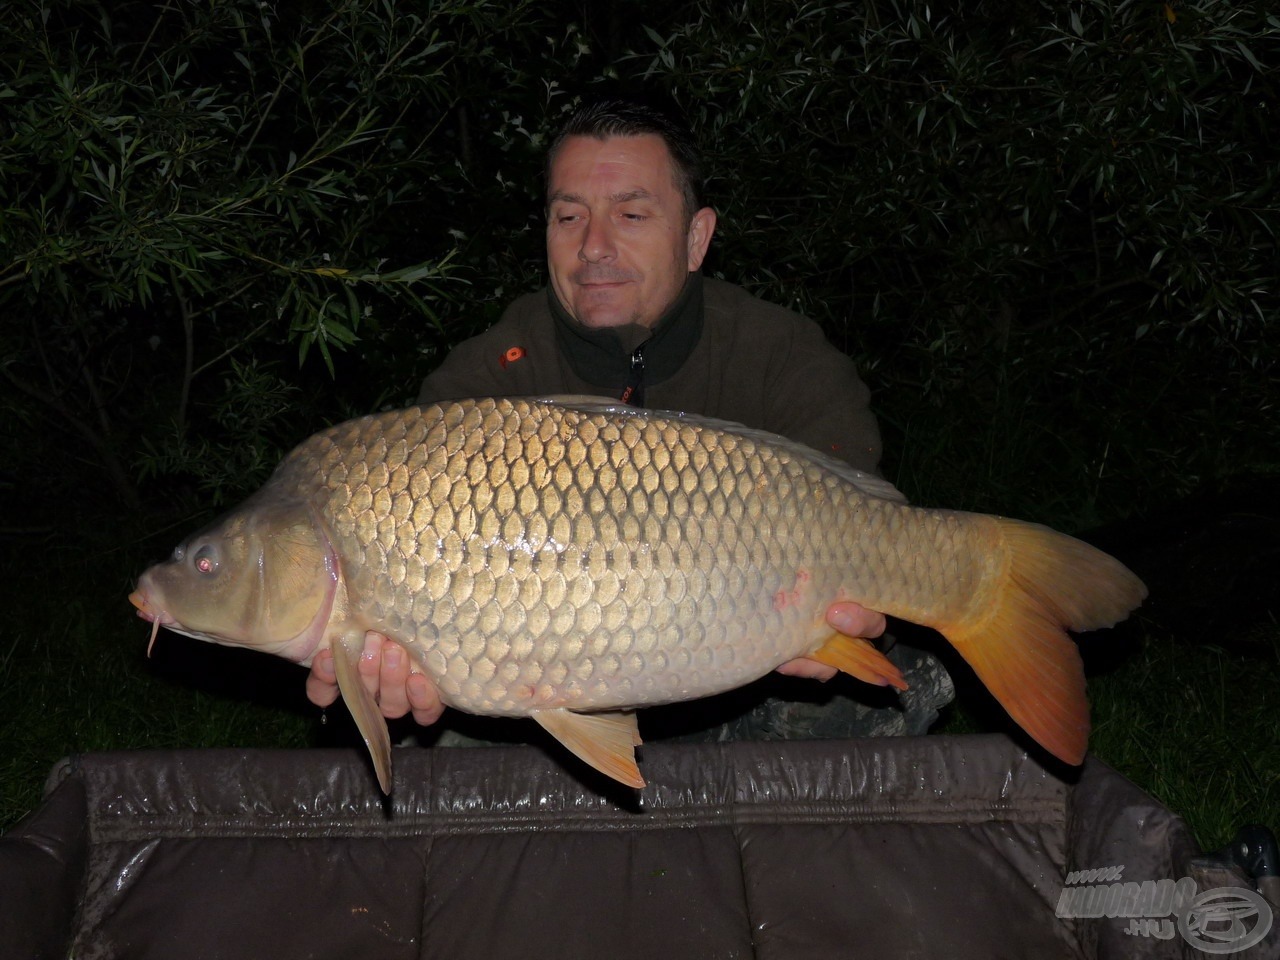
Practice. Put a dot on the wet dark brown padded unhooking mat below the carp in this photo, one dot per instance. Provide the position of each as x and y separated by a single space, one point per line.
936 847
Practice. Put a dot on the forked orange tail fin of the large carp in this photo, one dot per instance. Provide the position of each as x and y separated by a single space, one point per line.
1014 634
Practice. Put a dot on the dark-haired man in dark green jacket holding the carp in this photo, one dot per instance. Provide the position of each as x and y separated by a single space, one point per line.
628 316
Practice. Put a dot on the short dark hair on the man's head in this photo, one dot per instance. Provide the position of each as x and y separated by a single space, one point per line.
636 118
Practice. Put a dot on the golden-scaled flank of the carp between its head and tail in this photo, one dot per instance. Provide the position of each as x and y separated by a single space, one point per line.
537 556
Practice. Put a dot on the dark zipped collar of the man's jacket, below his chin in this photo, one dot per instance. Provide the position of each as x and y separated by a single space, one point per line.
602 358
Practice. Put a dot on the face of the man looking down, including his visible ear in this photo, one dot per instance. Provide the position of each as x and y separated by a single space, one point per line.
618 246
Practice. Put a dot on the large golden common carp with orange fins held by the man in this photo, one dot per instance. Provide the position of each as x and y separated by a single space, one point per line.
570 560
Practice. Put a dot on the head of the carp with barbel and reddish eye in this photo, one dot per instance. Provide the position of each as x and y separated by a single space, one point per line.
264 577
